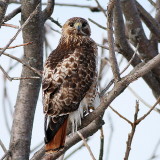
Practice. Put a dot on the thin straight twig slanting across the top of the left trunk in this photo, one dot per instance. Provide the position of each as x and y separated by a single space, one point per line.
20 29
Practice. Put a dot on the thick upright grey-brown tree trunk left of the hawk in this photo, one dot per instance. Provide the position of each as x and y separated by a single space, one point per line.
28 89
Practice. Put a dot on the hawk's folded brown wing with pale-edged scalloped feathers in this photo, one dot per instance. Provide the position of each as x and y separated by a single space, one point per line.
66 83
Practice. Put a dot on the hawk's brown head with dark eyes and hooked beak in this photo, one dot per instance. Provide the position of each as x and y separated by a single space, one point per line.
76 26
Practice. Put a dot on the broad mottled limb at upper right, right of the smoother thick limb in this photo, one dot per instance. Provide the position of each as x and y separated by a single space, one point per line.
137 34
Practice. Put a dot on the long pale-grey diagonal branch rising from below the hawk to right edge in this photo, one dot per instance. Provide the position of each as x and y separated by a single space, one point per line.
107 99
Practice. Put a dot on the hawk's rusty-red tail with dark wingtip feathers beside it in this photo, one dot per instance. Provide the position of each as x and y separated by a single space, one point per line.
55 134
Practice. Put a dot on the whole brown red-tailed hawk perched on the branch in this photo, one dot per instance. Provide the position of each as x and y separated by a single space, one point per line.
69 81
